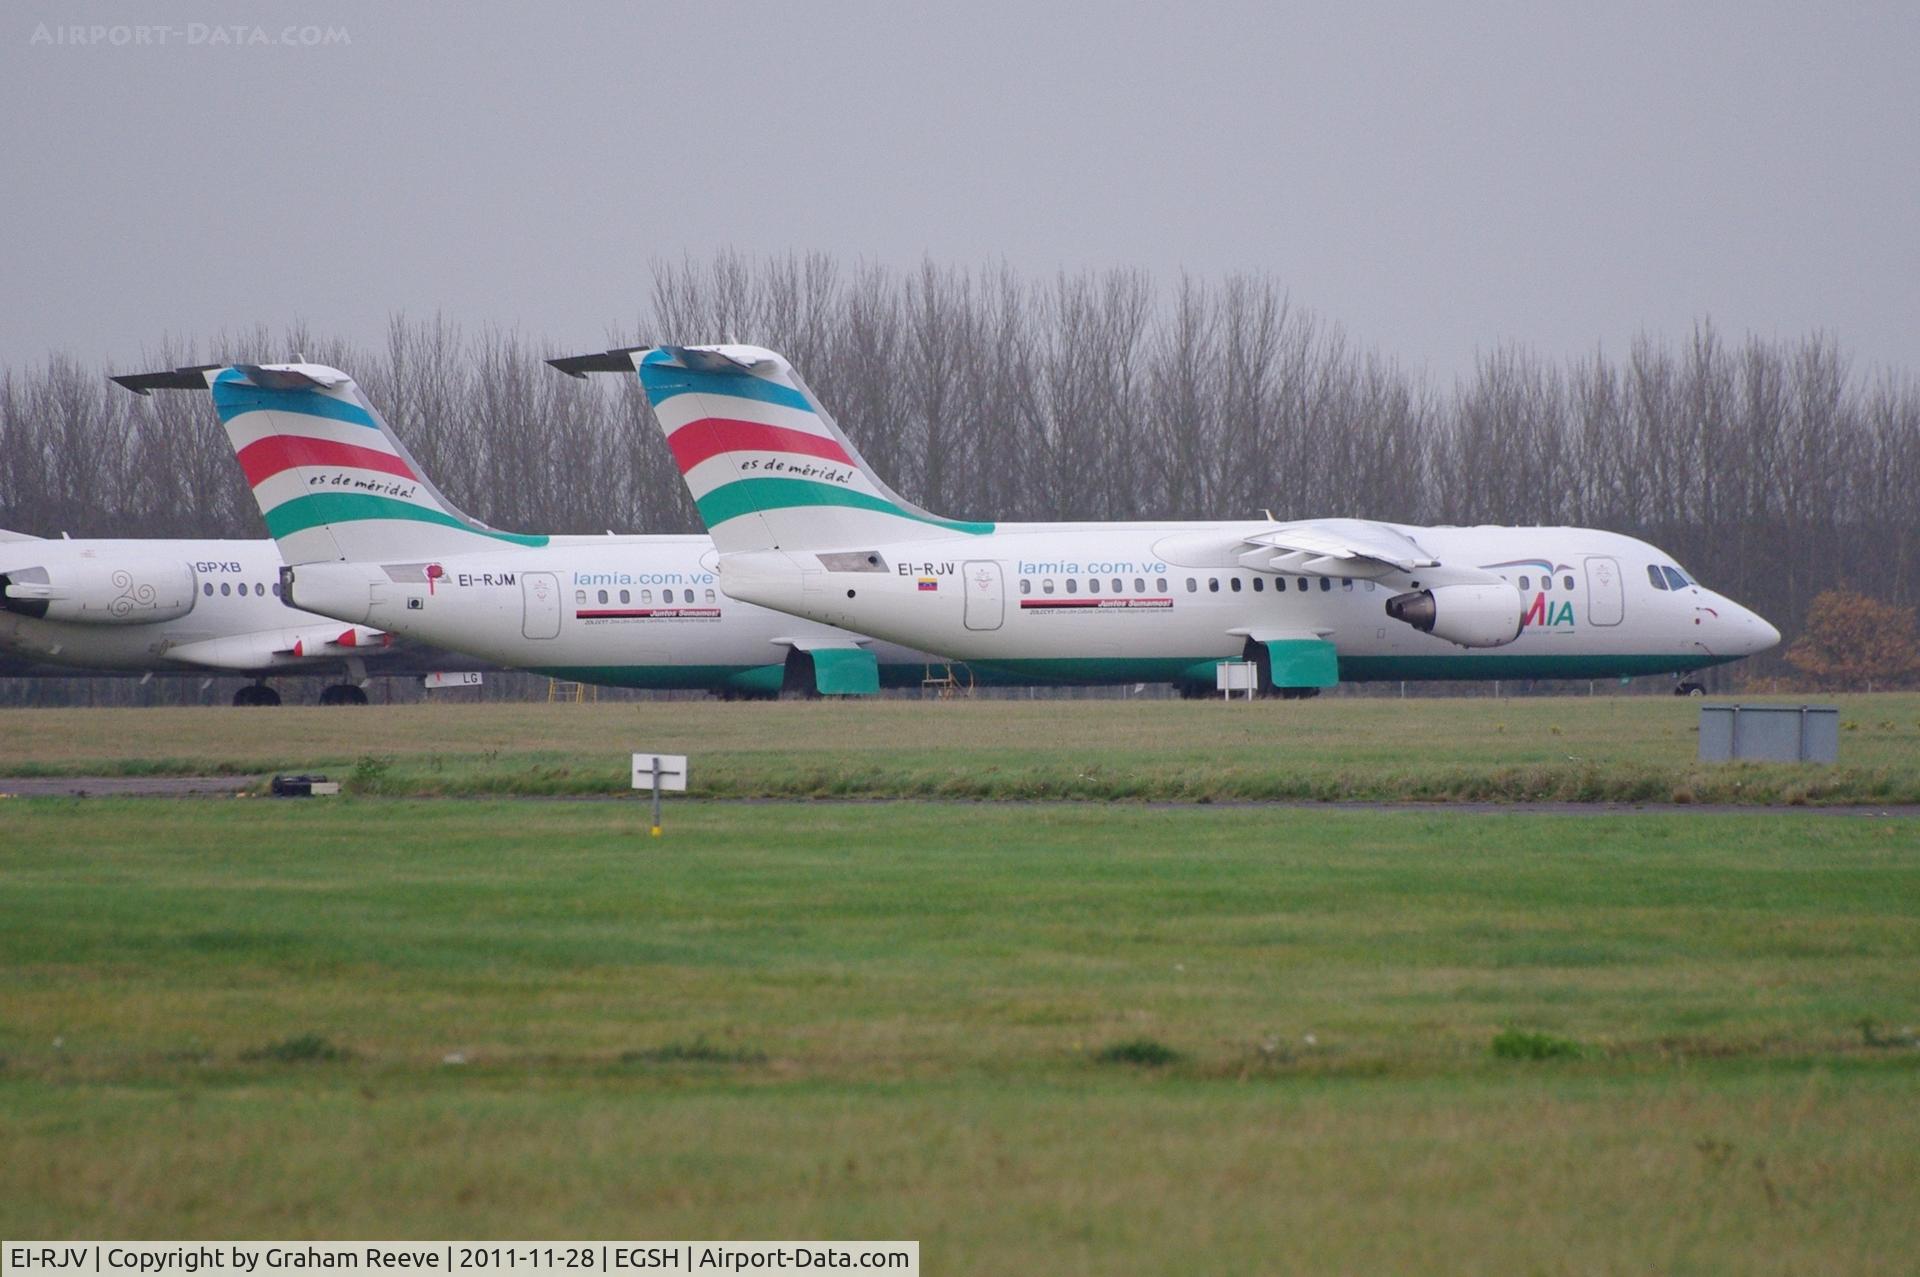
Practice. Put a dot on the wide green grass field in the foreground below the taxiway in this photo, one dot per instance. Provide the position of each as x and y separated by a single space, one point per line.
1070 1040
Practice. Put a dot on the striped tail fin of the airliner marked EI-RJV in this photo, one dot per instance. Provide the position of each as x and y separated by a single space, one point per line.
767 466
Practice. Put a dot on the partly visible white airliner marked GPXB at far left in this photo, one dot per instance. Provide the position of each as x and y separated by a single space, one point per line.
170 608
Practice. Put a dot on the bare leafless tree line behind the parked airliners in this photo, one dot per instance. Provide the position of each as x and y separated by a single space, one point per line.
1767 468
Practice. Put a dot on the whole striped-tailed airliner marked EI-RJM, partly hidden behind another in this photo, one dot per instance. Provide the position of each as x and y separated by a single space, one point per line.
368 539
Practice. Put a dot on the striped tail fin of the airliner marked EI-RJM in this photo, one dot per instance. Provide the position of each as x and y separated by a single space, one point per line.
327 471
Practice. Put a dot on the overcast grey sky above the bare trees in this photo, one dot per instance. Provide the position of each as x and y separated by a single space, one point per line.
1437 178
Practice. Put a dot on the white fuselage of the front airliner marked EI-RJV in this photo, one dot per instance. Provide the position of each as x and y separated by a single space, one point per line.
1118 602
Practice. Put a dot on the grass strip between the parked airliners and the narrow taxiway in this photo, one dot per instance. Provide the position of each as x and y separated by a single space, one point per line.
1333 748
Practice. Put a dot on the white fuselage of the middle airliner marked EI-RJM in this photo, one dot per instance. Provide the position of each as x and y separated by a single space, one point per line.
640 612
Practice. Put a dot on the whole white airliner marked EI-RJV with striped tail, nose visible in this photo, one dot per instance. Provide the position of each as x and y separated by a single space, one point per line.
804 525
